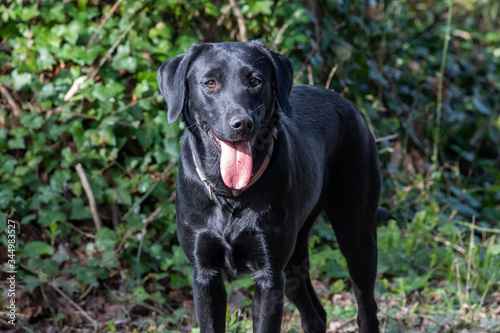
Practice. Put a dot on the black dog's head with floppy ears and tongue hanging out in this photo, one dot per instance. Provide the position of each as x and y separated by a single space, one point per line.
230 90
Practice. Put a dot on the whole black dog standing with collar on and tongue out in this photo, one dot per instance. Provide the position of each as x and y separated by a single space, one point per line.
252 180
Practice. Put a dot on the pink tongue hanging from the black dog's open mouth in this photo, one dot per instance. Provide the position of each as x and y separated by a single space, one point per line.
236 163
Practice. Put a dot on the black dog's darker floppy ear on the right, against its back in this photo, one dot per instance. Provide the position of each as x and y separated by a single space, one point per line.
283 81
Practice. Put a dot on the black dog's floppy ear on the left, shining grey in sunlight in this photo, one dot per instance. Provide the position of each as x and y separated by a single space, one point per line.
172 82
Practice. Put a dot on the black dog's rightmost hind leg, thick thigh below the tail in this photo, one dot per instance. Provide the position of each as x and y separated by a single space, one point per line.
350 201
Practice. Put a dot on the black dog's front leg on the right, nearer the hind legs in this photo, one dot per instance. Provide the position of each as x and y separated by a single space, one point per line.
267 304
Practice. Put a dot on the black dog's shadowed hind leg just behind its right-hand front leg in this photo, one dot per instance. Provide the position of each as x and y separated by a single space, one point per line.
298 284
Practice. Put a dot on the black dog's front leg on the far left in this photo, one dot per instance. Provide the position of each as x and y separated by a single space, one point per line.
210 301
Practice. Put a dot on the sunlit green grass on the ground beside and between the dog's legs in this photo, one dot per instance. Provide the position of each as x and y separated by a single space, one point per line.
433 277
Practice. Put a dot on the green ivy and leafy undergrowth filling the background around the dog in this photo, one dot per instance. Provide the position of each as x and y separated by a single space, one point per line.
438 264
